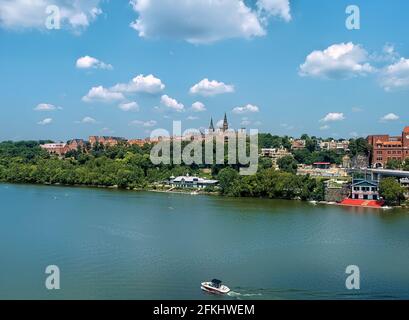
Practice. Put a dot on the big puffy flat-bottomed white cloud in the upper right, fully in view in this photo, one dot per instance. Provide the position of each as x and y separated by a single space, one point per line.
339 61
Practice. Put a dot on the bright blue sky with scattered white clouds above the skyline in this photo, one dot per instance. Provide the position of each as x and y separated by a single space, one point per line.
285 67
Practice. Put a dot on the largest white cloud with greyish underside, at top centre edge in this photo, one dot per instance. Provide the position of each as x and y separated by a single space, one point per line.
199 21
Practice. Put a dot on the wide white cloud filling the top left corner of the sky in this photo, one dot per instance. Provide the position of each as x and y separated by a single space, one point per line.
20 14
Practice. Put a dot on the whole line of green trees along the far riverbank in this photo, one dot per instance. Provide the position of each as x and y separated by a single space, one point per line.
129 167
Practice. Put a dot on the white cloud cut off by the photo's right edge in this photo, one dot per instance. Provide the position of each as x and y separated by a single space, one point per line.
396 76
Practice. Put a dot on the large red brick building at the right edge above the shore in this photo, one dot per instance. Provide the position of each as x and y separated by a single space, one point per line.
387 148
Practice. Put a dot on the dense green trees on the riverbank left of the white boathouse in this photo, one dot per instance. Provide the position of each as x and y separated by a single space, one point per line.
121 166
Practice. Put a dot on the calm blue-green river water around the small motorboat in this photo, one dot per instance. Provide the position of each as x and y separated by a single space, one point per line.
111 244
